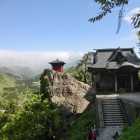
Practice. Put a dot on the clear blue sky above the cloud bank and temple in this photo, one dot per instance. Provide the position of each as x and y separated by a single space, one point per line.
56 26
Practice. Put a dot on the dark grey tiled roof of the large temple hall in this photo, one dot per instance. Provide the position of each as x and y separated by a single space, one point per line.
115 58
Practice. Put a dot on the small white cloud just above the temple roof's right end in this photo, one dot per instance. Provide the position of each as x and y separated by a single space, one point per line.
132 36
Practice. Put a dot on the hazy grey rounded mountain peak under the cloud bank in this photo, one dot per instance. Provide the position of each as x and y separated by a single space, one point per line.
26 73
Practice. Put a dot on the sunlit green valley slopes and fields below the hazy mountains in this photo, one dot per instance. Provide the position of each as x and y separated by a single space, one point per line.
15 88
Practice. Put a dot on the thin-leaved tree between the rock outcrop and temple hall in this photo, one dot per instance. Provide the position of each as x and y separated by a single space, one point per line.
82 65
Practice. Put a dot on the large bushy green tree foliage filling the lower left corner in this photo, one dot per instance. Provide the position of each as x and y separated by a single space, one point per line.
35 120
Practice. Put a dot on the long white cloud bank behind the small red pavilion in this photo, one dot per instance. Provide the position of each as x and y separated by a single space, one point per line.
37 61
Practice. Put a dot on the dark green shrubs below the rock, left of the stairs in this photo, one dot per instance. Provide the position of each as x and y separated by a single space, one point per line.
78 129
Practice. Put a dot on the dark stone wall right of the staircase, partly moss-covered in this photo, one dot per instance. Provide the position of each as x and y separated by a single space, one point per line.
131 110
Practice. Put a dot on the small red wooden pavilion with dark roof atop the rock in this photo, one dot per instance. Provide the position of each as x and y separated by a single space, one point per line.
57 65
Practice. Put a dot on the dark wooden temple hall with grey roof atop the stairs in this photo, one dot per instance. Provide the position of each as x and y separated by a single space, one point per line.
116 70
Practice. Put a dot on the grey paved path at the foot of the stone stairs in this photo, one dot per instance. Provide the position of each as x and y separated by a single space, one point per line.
107 132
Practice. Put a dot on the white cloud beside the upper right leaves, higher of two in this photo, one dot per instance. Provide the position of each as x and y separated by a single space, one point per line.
130 14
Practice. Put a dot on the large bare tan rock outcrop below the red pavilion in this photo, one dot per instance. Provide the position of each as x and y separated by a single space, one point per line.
71 95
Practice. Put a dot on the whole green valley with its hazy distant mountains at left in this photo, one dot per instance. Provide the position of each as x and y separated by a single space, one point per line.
15 86
